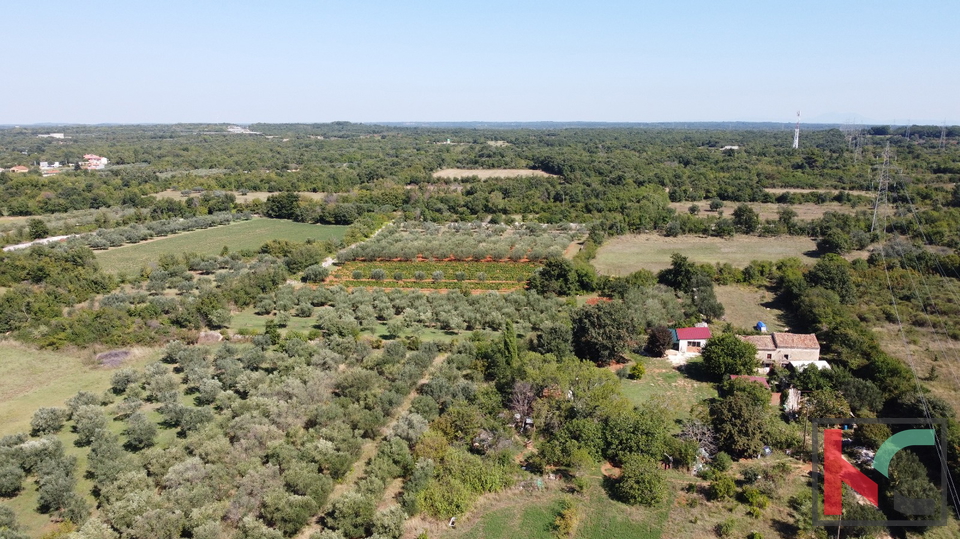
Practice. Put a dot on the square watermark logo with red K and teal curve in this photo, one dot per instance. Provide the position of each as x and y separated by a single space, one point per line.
837 471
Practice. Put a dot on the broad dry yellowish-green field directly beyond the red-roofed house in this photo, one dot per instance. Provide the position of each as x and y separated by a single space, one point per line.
623 255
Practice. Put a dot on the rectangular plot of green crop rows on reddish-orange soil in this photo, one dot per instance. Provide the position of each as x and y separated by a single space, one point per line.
476 275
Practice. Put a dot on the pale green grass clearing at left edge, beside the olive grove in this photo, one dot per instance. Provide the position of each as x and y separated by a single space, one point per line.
36 378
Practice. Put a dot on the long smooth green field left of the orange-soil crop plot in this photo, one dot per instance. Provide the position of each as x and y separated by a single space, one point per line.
240 235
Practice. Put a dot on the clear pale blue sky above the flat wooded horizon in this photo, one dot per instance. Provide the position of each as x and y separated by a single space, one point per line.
143 61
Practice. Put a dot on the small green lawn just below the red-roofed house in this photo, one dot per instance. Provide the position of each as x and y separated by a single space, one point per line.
664 384
